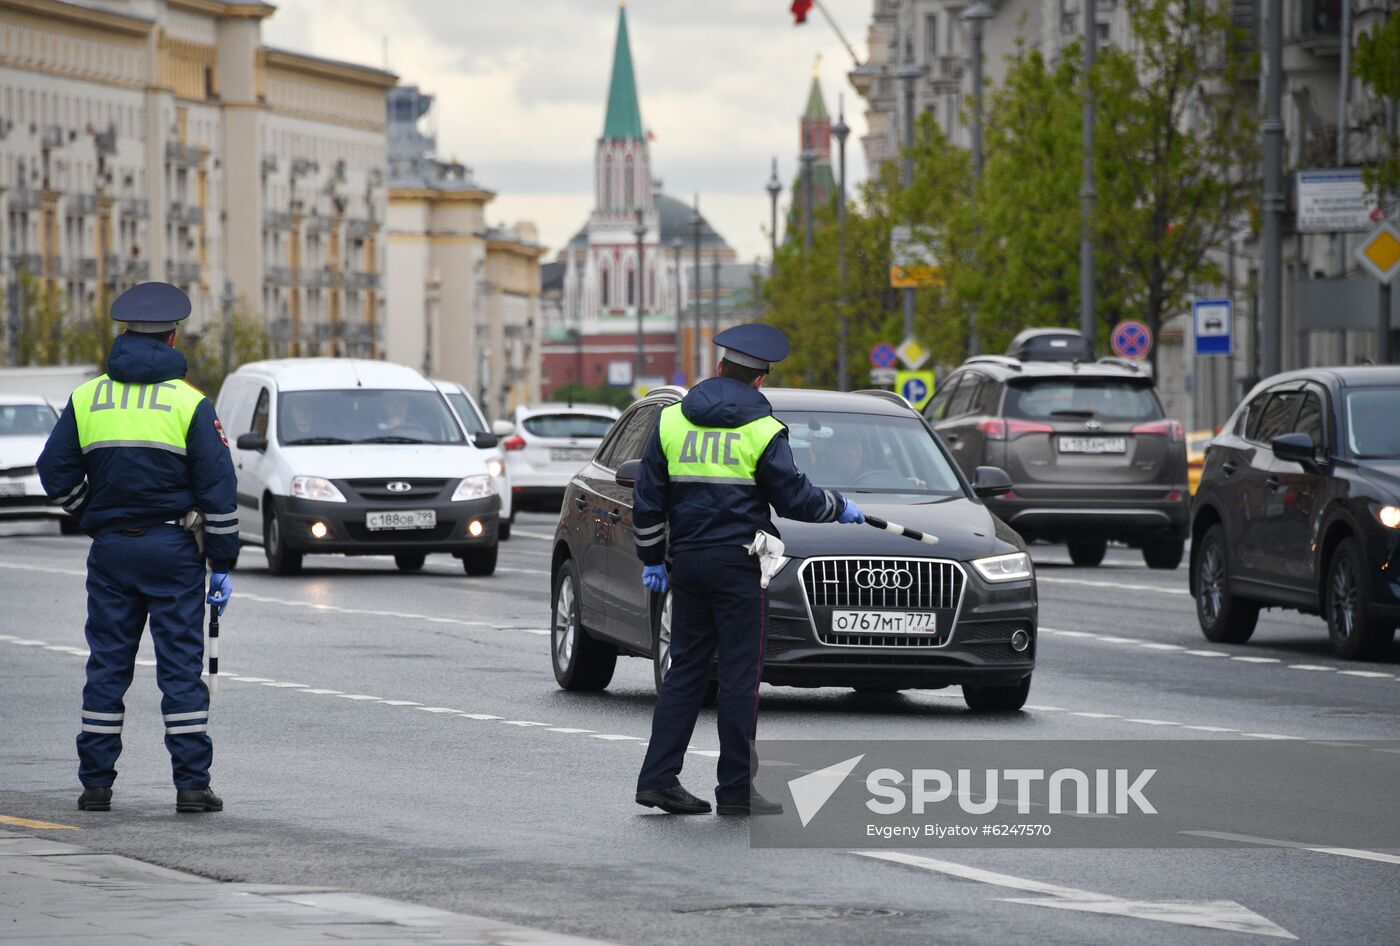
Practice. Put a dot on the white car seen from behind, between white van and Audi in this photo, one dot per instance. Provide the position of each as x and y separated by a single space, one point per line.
547 446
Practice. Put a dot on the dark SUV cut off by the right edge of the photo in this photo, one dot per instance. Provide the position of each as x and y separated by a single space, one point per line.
1300 507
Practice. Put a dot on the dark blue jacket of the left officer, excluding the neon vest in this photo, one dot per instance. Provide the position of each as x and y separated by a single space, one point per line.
138 486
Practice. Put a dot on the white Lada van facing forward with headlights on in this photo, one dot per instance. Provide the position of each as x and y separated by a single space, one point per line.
359 458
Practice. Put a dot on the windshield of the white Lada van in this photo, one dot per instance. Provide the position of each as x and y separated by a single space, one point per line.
365 416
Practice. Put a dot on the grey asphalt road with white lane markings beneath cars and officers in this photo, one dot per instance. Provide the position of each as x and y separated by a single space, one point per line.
402 737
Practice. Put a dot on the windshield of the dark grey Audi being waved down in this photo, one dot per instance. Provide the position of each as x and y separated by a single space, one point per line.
869 454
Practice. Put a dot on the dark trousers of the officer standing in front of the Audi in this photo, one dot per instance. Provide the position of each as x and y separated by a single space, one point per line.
716 605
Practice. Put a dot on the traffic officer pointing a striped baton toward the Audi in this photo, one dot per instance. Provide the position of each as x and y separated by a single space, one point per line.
713 468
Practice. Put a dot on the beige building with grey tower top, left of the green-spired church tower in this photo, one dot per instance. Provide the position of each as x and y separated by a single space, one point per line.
464 296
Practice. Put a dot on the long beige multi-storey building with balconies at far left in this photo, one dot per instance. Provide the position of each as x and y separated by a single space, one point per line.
163 141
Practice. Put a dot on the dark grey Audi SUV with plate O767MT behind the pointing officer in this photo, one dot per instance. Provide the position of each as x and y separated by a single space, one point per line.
853 607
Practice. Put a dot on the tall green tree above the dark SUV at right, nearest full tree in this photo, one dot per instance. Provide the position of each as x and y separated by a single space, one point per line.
1175 129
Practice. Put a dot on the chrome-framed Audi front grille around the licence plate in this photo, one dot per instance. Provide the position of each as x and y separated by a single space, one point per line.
883 584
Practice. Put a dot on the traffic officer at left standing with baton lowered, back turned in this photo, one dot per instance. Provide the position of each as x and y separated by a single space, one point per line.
136 457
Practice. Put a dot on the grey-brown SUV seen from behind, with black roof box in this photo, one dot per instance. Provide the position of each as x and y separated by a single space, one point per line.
1090 451
